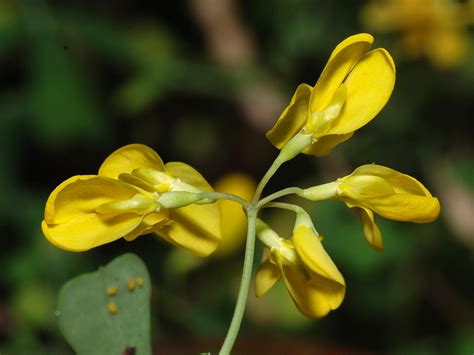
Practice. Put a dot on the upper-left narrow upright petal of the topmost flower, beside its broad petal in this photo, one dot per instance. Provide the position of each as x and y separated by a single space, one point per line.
340 63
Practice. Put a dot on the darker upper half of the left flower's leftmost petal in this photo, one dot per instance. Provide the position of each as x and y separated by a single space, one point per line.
82 194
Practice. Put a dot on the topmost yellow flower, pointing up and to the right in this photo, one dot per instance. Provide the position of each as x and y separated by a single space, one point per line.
353 87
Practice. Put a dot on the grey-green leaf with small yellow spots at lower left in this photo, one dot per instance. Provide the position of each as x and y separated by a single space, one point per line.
84 309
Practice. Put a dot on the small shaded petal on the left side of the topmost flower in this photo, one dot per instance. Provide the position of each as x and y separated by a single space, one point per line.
292 119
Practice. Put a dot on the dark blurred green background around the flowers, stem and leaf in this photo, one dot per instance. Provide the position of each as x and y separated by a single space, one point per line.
200 81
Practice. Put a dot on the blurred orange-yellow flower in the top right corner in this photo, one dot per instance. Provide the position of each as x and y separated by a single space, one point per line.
436 29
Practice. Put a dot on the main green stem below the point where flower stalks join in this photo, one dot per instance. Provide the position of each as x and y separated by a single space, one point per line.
244 284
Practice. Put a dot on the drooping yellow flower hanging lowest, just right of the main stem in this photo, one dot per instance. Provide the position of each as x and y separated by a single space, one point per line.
311 278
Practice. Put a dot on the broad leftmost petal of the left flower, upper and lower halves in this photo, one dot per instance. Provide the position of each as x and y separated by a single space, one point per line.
71 221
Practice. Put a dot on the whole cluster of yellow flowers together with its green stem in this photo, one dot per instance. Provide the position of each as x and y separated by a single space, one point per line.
135 193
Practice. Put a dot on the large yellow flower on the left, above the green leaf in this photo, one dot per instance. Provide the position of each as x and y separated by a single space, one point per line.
86 211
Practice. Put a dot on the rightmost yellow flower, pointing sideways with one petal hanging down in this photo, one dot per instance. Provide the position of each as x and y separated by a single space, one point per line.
389 193
